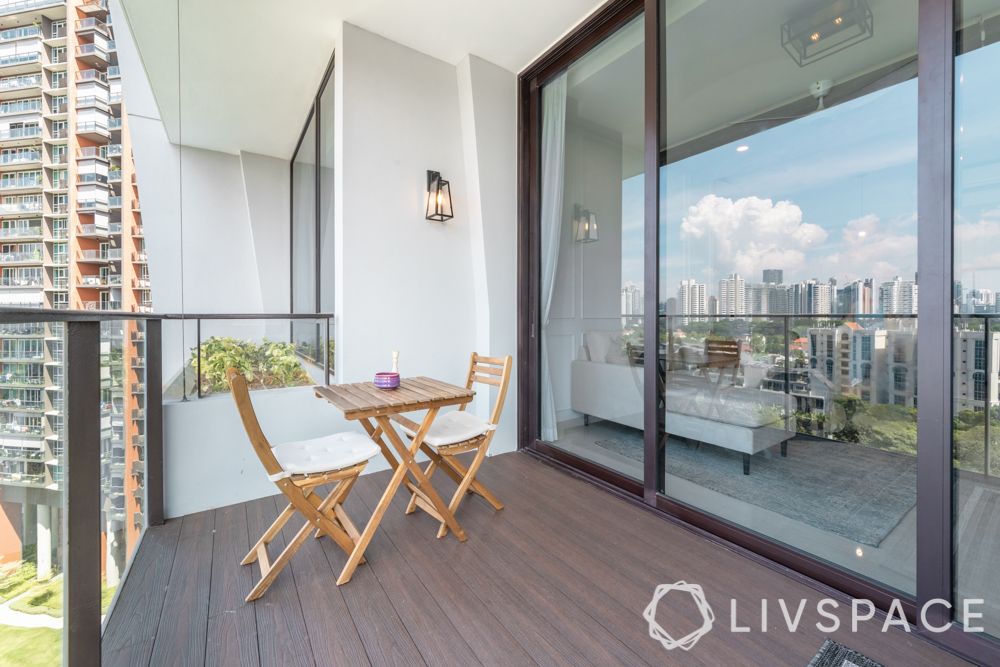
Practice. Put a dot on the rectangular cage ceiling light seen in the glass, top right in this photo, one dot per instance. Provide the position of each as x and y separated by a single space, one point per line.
824 30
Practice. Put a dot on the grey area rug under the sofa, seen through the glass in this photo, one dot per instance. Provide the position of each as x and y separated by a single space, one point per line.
854 491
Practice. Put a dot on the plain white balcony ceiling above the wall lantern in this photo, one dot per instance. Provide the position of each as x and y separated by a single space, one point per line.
248 69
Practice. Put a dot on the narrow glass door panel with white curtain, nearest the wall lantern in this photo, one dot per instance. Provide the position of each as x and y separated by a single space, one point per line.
591 247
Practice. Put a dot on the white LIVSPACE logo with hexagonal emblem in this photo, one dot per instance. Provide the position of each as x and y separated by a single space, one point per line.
825 615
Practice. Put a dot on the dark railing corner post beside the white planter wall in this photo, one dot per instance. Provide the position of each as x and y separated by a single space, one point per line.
154 422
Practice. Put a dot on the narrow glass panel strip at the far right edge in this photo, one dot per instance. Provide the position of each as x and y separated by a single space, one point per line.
976 356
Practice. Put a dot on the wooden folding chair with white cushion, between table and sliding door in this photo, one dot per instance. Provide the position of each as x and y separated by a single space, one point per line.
458 432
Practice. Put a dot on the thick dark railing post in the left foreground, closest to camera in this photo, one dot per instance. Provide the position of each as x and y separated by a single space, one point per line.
82 518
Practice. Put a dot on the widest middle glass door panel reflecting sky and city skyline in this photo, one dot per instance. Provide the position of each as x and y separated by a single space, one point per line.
788 278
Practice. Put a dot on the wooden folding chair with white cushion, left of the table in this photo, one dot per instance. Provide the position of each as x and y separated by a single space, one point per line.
297 468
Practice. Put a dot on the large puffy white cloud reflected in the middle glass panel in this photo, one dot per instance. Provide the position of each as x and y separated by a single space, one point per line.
751 233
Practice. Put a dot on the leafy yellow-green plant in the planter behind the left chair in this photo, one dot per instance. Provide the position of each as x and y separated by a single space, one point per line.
266 365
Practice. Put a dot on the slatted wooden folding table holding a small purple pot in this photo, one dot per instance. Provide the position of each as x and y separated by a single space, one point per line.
375 409
